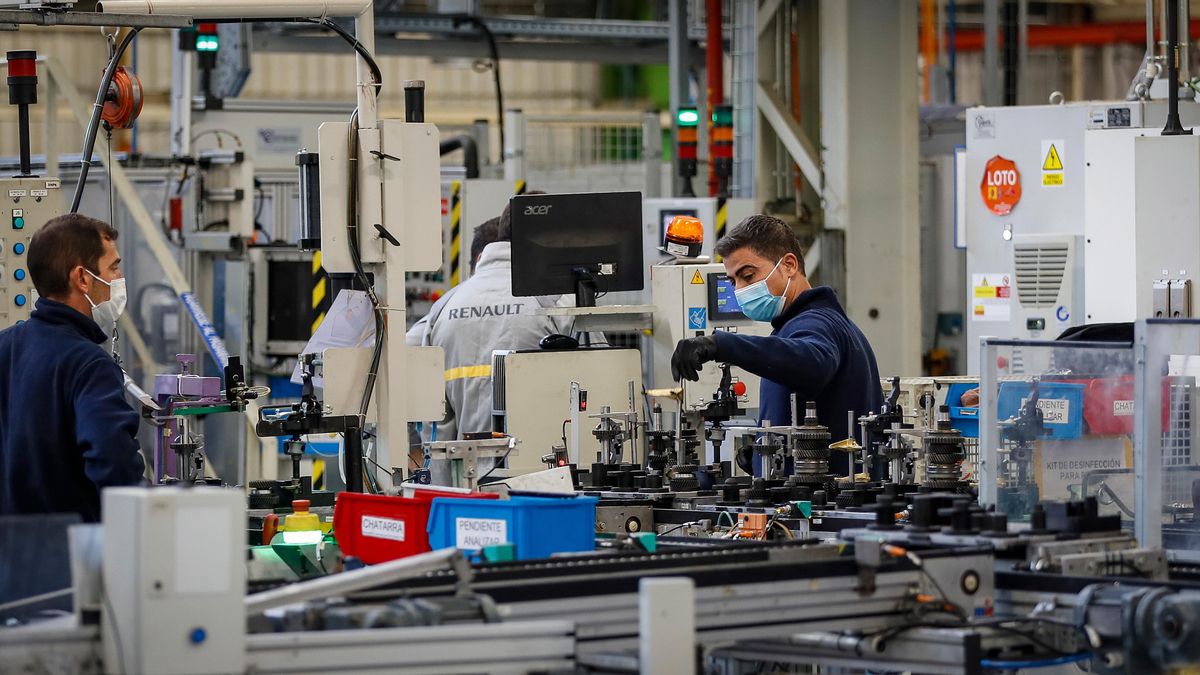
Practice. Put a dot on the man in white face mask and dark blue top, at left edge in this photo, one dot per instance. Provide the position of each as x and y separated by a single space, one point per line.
65 429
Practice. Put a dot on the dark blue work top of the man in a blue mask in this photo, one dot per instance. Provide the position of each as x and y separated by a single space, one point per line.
817 353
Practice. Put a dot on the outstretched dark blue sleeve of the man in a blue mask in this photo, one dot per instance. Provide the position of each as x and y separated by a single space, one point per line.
805 361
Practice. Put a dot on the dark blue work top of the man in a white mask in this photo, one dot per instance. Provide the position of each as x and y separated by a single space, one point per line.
65 429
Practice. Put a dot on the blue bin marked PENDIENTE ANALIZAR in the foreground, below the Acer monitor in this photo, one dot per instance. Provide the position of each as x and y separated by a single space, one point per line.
536 527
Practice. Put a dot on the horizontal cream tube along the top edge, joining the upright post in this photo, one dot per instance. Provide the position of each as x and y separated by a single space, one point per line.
203 10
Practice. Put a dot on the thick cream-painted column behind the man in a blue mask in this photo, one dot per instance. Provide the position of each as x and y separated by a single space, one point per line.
871 157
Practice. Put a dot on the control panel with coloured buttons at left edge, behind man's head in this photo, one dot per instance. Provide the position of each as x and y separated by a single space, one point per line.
28 205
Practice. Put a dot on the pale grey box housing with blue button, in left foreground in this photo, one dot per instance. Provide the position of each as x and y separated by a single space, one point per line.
173 578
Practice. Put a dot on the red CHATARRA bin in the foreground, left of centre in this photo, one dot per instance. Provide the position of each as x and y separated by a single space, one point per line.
379 528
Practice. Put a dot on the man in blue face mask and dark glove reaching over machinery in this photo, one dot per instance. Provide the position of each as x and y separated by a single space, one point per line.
814 351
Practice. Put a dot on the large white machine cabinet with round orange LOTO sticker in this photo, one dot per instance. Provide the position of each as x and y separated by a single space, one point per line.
1051 194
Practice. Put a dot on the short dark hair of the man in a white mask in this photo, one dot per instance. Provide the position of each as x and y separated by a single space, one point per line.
63 244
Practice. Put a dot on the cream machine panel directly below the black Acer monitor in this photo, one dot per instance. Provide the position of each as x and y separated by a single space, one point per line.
533 391
